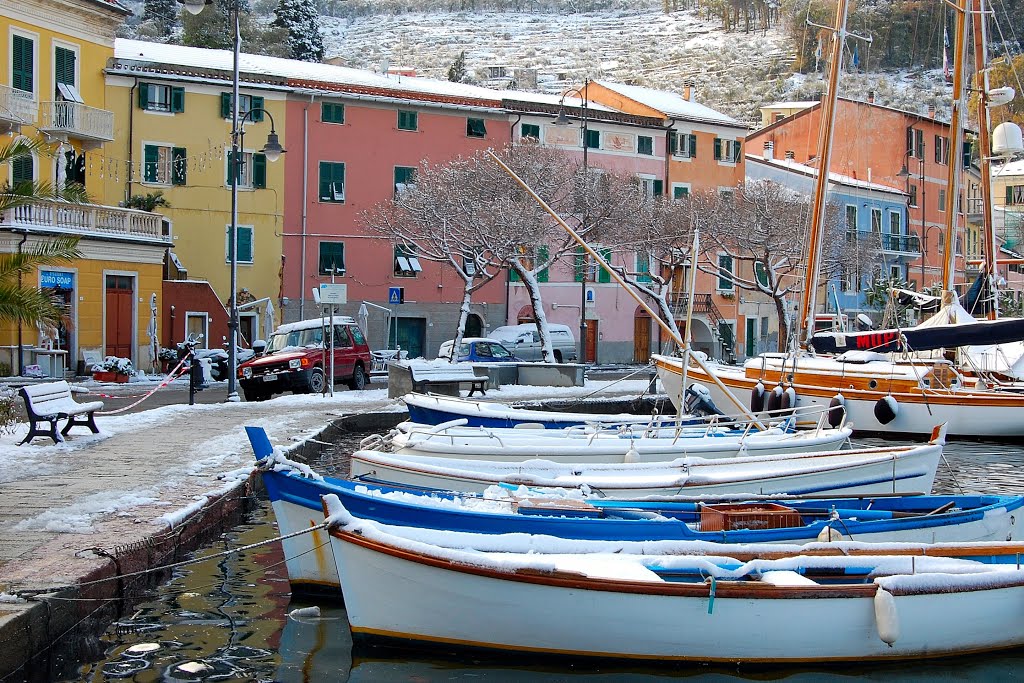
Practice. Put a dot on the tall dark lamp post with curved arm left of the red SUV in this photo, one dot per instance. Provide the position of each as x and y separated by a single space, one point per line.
272 151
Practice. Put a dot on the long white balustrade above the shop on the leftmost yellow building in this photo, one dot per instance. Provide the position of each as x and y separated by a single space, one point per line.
87 220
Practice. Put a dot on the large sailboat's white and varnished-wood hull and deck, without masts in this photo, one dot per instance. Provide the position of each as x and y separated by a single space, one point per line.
876 394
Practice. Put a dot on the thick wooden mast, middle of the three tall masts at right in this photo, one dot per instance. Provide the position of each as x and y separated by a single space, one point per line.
956 154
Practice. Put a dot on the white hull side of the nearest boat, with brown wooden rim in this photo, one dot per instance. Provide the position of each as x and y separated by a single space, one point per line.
396 593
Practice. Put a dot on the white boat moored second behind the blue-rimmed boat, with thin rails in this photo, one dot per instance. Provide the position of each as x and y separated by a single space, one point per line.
598 445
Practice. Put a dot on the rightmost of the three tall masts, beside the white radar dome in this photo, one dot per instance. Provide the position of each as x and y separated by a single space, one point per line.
982 69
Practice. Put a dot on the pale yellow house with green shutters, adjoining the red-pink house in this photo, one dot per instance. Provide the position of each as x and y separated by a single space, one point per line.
175 126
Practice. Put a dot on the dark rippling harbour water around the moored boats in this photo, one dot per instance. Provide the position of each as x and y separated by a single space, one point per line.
229 620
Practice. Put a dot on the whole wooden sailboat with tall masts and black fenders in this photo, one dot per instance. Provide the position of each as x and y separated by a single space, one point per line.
878 393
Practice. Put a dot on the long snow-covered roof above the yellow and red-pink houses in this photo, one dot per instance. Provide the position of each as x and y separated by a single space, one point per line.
298 73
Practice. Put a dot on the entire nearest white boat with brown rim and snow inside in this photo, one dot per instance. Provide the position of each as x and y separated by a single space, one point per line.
521 593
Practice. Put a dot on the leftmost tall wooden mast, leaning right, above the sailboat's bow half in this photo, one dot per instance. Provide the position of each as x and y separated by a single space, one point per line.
808 302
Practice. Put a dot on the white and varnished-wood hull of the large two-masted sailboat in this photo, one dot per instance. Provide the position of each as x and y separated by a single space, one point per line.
967 414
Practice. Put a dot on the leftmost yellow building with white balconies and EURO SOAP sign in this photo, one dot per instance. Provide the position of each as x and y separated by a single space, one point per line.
53 89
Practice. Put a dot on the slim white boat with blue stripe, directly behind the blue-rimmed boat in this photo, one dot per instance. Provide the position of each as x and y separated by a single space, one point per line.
893 469
